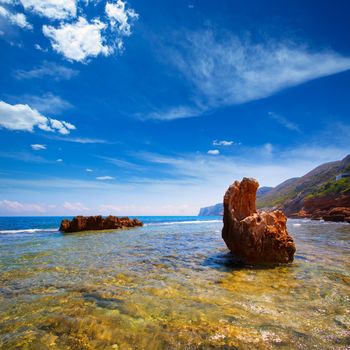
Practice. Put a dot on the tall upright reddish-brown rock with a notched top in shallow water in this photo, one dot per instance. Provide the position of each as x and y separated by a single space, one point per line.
256 238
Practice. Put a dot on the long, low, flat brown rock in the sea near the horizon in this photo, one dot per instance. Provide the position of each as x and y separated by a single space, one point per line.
94 223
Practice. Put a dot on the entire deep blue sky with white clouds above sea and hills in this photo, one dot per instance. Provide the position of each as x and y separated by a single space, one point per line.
156 107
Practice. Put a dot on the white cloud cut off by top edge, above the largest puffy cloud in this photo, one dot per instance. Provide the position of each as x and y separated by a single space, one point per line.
52 9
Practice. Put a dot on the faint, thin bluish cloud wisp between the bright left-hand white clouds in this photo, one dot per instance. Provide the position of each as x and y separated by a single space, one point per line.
47 69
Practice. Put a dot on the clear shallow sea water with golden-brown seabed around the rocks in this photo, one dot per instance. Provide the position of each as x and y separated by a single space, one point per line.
169 285
